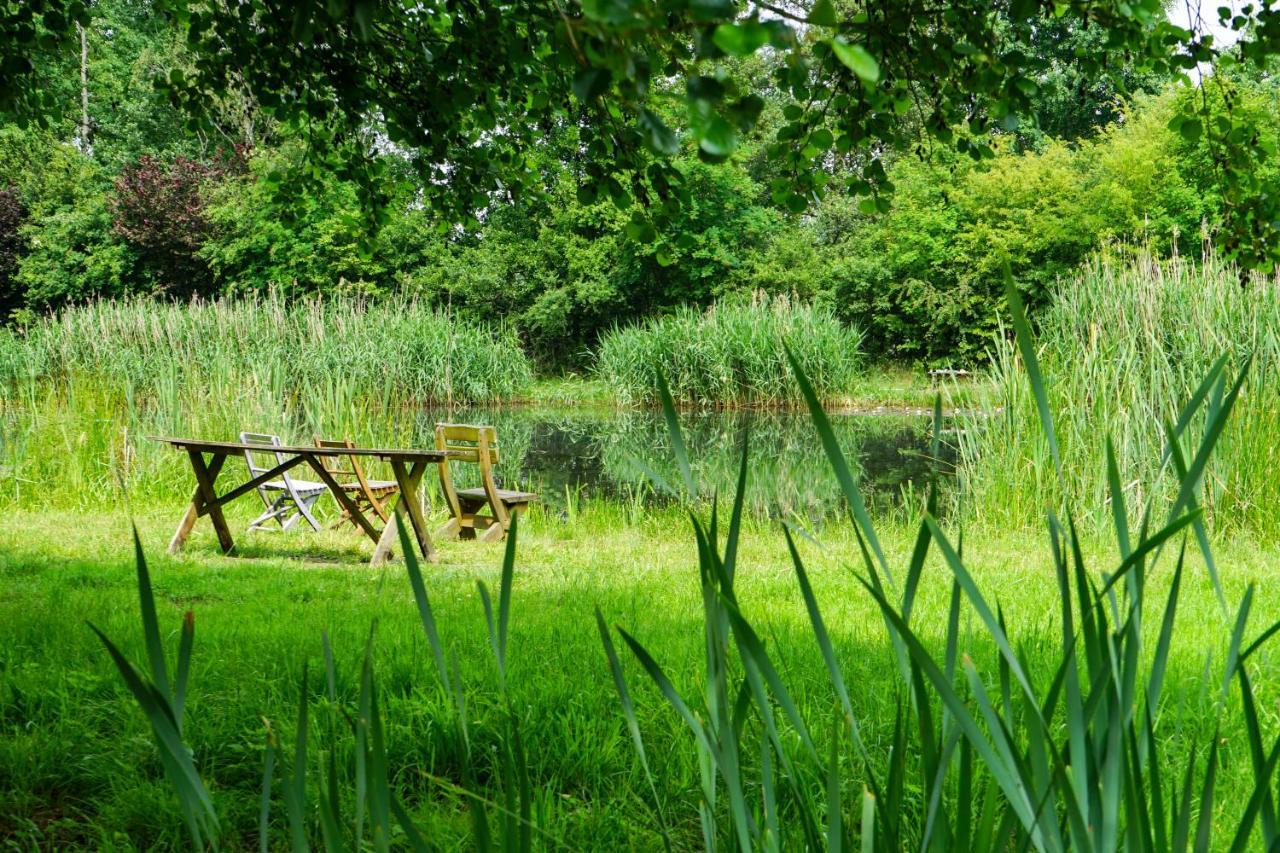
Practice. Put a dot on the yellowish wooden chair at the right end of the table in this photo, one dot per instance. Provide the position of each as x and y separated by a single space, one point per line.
477 445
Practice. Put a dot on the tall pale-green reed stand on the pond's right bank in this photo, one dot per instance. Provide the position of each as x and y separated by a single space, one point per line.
1123 348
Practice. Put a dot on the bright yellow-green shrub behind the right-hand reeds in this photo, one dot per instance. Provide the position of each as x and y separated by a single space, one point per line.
926 280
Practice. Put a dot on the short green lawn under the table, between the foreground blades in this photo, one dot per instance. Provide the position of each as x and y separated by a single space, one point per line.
77 767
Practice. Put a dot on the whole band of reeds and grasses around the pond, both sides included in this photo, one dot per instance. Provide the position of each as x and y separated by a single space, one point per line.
1122 345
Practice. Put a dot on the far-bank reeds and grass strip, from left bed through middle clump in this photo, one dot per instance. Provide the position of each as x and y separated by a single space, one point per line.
401 352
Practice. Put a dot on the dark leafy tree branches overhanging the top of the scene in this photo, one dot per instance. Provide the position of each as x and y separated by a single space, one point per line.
468 90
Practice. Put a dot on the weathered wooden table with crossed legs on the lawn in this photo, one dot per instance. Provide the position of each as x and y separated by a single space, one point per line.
409 467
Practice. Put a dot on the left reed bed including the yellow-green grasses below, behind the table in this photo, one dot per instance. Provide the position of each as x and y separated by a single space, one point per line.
81 391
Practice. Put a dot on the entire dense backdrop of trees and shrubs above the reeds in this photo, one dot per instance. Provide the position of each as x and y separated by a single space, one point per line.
563 238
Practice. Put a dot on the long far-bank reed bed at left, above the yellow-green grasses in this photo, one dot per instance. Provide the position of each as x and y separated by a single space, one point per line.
396 350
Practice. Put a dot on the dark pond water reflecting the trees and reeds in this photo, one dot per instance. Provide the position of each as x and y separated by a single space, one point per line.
570 457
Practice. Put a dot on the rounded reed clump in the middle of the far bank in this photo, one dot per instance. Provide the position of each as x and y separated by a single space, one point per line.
732 355
